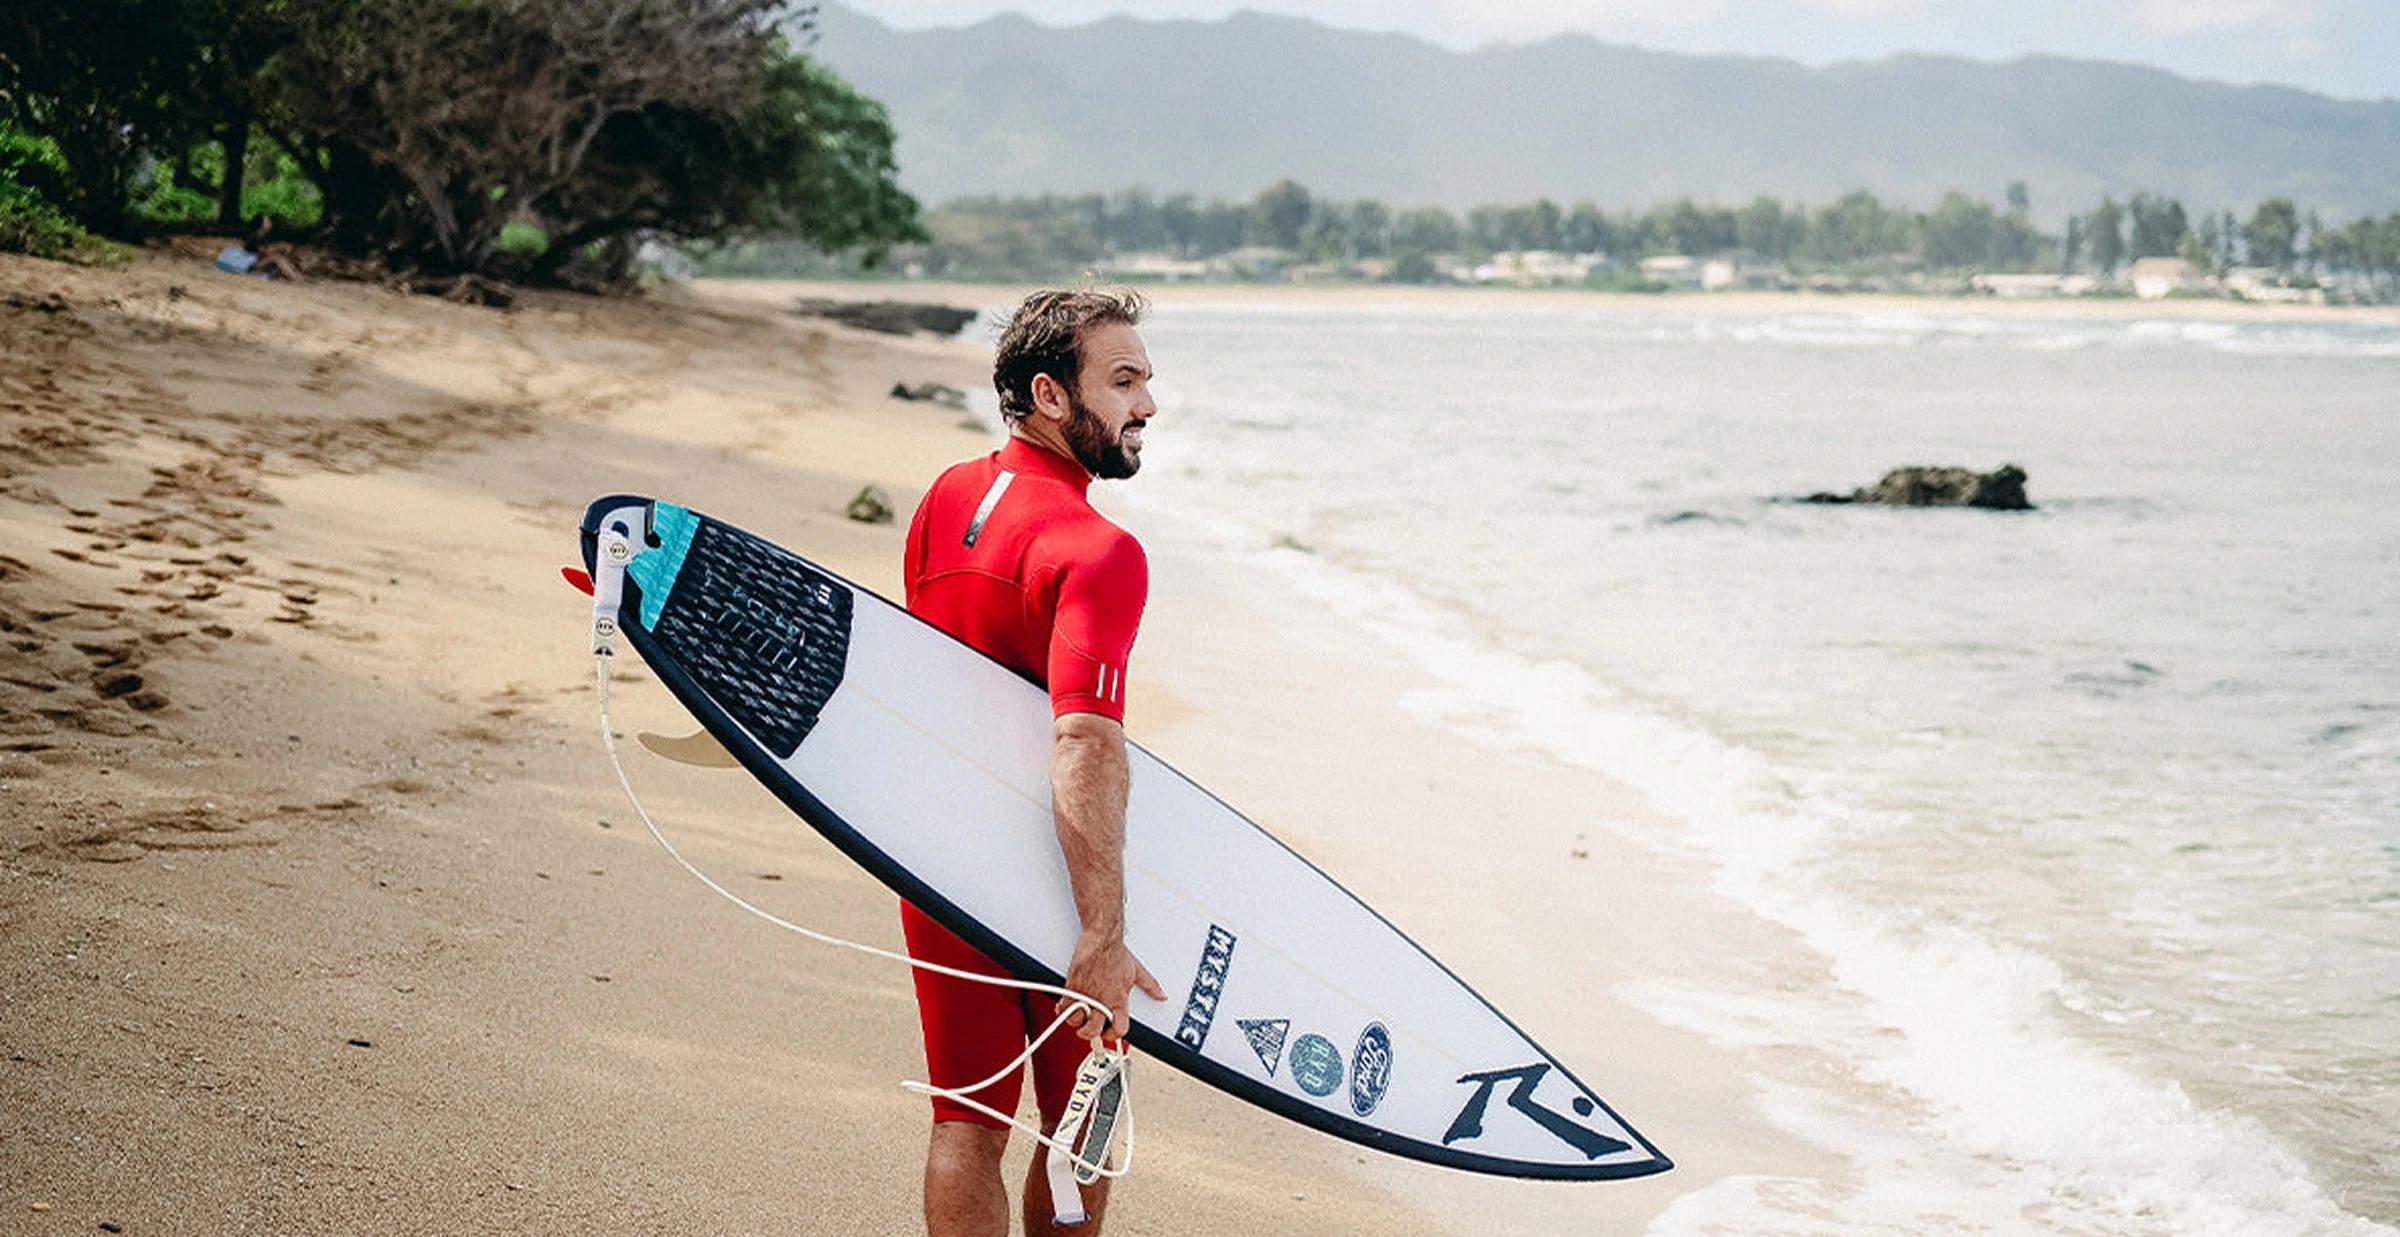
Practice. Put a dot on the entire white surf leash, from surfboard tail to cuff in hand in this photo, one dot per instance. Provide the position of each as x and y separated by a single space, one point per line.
1096 1133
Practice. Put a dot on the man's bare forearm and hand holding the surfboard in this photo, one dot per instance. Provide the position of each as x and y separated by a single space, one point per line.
1088 794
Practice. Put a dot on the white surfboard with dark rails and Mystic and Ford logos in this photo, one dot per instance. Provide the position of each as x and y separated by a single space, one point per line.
928 763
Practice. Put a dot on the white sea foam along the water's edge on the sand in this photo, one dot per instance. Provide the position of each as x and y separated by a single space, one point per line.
1972 1101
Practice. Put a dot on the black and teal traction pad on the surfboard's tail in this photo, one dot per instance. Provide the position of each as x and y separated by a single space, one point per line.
755 626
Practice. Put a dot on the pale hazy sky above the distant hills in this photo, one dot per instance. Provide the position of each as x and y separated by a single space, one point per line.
2348 49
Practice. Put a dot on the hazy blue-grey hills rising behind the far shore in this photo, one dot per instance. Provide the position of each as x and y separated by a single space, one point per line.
1223 109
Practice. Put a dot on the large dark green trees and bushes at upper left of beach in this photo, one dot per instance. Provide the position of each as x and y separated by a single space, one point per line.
426 131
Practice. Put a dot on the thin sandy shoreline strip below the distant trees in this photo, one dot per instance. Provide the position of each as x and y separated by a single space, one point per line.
1705 304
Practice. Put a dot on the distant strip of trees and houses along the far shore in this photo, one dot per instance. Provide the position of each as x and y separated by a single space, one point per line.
1854 244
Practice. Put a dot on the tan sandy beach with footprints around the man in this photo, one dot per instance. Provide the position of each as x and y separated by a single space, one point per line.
323 909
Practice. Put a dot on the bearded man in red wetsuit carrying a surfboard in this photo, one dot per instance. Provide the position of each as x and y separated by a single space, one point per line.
1012 558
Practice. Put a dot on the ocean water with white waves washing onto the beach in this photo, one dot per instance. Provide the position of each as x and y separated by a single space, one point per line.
2092 811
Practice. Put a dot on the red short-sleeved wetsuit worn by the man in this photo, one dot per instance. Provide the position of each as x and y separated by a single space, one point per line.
1012 558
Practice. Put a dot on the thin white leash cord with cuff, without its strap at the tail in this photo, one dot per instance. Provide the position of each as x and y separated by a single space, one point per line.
1062 1145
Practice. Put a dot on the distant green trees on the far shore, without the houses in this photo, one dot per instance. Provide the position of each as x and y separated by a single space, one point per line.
1856 241
